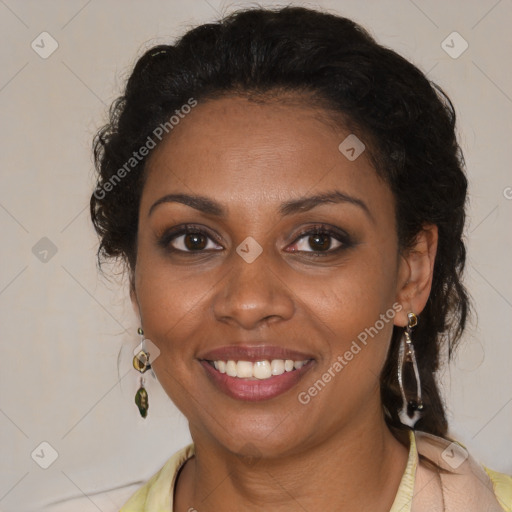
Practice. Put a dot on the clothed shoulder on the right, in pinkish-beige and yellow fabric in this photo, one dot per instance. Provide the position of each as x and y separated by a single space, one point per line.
458 480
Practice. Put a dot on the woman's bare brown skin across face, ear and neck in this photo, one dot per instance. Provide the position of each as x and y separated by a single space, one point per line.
250 158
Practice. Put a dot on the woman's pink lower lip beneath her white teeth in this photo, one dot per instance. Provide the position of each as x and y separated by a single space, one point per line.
255 390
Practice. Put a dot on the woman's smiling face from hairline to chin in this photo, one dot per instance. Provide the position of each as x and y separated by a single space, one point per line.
290 253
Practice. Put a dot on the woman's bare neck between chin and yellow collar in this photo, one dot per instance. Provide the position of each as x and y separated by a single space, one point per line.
354 469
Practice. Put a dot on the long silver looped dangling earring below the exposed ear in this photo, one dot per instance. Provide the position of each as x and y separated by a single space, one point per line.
411 410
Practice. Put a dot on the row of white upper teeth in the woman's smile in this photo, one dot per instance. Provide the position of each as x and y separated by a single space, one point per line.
258 370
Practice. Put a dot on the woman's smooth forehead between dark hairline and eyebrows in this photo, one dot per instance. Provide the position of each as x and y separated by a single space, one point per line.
250 153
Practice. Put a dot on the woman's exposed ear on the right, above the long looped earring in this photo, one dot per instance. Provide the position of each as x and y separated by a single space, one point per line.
415 273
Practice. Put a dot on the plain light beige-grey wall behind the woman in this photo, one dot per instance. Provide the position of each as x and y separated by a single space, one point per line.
63 325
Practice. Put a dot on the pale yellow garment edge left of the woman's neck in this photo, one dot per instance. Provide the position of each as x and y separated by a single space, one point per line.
156 493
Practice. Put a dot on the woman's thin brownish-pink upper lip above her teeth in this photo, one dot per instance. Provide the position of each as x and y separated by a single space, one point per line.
253 353
